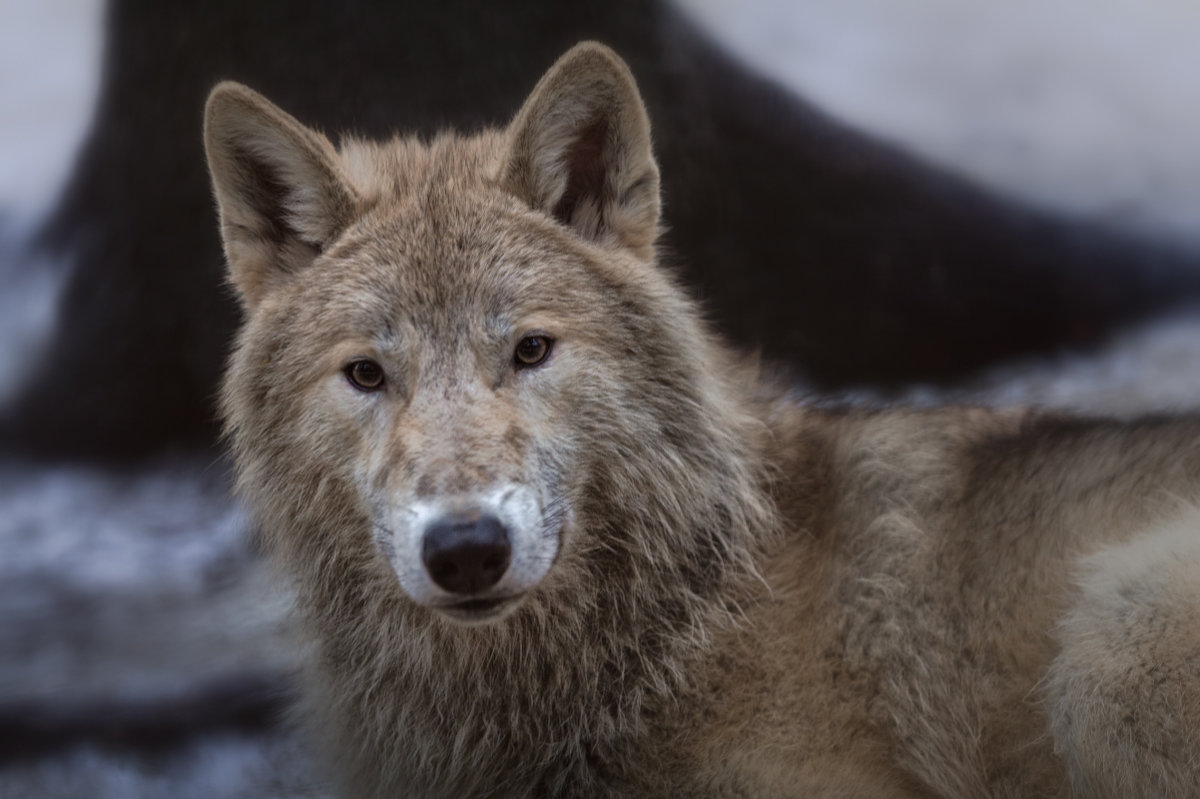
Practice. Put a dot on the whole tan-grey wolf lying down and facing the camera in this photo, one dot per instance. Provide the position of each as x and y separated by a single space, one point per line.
550 537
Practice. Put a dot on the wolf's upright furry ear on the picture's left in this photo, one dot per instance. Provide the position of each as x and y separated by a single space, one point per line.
280 191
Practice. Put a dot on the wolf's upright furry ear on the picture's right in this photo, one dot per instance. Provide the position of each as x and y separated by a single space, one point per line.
580 151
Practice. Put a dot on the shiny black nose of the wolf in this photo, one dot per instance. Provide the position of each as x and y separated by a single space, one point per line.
466 555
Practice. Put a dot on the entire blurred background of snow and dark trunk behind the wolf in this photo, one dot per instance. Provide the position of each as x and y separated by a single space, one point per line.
916 202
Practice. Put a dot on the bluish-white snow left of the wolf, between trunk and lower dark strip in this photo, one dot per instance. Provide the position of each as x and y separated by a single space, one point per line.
131 587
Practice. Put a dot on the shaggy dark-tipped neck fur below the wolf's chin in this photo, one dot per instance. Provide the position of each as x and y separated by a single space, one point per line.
562 699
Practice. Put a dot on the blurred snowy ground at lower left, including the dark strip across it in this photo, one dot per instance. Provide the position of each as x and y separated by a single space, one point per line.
145 647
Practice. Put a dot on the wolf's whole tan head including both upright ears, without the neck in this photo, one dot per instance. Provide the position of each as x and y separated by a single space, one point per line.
460 365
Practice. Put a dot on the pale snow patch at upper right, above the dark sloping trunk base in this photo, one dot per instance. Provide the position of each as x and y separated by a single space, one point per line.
1088 106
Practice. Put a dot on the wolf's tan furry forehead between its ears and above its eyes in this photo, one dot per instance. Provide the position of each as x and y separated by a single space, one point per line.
441 236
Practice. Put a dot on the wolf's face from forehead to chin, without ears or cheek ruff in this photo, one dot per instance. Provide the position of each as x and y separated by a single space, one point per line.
453 356
